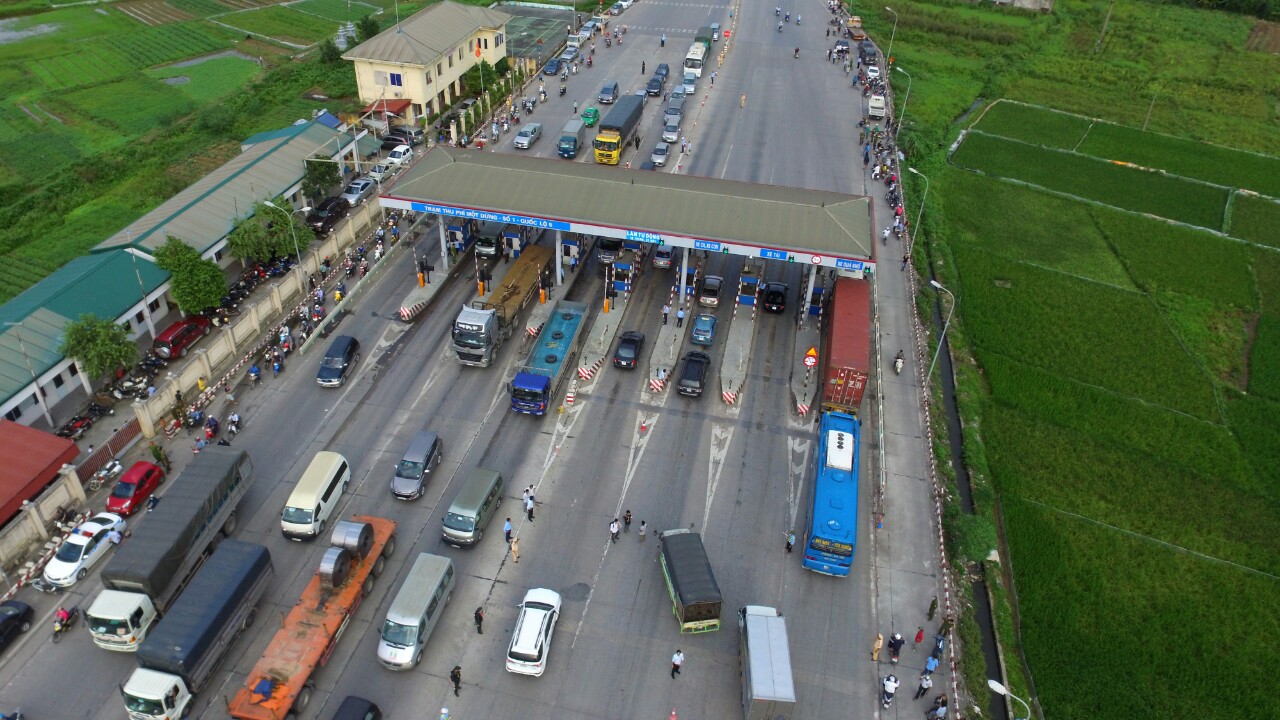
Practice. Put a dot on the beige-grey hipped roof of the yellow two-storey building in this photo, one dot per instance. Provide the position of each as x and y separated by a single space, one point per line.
424 37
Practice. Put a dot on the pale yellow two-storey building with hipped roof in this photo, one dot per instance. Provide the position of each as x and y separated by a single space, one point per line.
415 69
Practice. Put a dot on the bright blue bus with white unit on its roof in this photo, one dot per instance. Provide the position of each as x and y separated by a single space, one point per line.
834 522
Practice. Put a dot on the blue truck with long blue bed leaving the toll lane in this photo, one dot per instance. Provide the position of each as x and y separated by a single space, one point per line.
551 361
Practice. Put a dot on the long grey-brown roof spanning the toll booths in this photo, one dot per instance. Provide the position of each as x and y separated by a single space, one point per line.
801 221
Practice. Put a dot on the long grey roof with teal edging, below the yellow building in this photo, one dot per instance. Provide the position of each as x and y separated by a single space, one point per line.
205 212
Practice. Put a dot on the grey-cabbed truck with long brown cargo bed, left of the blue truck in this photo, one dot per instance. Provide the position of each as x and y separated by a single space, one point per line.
482 327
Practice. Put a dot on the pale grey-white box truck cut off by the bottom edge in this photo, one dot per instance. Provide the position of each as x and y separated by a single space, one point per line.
765 663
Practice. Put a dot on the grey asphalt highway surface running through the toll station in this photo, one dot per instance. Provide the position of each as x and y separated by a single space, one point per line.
739 475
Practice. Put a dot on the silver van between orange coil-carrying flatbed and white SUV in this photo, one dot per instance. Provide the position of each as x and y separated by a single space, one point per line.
415 612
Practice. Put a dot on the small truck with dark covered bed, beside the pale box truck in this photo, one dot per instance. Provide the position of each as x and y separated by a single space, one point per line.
696 599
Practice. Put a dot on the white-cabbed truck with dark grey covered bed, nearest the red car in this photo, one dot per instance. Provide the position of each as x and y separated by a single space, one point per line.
150 572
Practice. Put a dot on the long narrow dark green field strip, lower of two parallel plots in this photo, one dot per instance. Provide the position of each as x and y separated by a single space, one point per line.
1131 189
